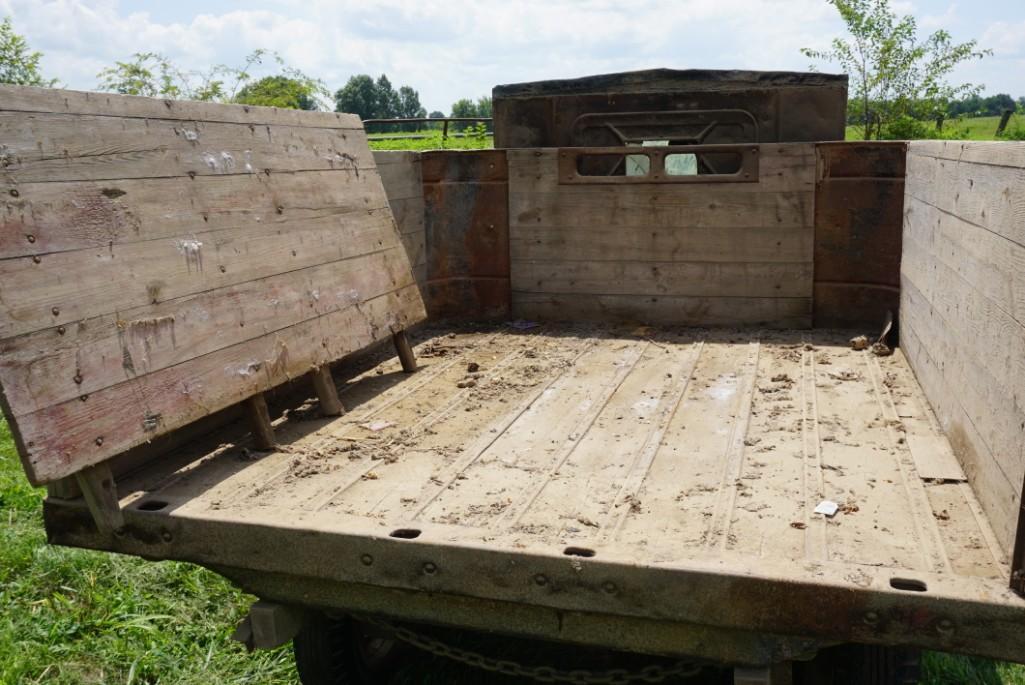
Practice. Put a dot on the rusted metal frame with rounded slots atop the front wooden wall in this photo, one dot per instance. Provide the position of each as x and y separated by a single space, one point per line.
608 173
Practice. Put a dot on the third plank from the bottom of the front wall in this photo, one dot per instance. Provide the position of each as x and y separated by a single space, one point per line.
610 244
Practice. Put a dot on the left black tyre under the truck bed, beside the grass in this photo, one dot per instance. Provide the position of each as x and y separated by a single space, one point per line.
343 652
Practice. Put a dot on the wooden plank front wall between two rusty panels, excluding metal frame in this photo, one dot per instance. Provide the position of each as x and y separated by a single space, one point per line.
704 255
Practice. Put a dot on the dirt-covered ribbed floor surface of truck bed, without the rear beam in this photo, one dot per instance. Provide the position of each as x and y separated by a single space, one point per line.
660 446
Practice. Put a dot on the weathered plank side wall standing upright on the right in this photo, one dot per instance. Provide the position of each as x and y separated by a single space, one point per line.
963 308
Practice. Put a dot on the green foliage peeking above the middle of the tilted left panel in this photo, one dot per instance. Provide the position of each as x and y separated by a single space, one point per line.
154 75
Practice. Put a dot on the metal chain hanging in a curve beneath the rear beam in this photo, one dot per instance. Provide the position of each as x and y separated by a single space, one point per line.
543 674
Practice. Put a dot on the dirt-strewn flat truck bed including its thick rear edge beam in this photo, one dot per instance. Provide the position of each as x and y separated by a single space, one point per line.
634 470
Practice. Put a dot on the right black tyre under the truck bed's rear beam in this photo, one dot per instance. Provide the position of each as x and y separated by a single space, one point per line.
860 665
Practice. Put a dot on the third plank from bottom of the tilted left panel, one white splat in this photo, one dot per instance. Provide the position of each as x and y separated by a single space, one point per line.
67 288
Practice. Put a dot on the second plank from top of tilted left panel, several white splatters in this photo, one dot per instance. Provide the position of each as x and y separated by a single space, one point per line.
49 148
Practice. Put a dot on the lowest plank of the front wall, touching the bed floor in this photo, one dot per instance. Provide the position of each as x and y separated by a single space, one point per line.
685 311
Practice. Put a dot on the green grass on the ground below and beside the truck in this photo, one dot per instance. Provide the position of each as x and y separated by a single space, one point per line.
74 617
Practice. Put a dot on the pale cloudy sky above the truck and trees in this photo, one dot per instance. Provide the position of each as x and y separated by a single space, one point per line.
448 50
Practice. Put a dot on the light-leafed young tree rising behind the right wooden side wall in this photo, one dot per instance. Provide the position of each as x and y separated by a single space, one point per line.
895 75
